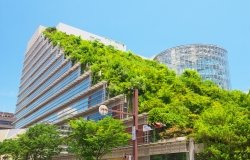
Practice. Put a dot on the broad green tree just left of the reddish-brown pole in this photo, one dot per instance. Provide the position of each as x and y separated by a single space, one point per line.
91 140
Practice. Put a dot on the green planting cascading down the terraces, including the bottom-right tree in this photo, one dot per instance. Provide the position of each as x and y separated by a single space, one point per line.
185 103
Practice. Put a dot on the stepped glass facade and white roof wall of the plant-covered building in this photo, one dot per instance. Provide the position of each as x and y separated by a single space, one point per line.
53 89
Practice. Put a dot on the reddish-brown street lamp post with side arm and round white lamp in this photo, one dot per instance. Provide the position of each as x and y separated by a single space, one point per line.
104 110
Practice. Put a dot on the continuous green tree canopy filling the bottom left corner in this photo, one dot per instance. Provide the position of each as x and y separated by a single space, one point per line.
39 142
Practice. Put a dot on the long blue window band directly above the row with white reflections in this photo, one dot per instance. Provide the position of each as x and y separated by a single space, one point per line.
55 103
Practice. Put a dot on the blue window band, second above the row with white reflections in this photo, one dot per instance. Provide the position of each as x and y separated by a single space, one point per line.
55 89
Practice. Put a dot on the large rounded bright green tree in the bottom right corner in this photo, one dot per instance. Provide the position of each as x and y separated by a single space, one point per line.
225 132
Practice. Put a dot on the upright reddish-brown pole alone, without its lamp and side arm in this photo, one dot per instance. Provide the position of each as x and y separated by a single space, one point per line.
135 124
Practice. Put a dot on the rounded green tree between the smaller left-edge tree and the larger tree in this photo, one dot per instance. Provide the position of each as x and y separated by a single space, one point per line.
40 142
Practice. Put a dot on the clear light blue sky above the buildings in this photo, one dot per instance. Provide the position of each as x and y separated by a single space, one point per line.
146 27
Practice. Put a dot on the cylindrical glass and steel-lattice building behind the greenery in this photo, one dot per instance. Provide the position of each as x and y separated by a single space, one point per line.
209 60
